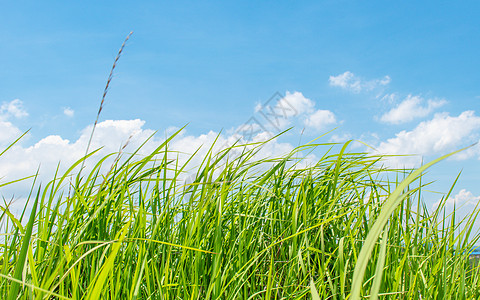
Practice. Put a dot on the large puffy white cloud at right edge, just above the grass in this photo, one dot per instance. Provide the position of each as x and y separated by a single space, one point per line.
442 134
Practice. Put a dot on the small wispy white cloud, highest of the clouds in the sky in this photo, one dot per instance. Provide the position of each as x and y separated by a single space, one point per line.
351 82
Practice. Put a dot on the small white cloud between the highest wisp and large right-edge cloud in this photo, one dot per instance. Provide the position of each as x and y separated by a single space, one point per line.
411 108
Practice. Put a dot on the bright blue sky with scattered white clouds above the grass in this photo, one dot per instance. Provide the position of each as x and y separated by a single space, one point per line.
402 77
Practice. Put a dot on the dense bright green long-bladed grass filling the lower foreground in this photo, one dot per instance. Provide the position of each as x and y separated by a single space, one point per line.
244 229
